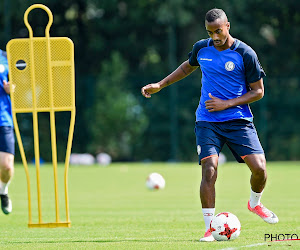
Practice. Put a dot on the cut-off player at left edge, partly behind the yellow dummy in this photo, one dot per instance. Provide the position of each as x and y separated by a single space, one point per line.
7 139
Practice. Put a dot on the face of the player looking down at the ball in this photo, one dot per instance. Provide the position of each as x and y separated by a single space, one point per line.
218 31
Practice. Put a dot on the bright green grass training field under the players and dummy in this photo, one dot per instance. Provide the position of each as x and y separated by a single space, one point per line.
111 208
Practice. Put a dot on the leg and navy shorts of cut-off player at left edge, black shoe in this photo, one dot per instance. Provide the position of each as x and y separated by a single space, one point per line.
7 150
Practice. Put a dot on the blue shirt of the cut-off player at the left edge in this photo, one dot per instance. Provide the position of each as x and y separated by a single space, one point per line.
5 103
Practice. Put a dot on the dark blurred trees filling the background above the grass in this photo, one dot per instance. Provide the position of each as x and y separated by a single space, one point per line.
122 45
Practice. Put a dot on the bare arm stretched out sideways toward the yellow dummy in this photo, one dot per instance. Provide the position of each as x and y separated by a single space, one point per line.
181 72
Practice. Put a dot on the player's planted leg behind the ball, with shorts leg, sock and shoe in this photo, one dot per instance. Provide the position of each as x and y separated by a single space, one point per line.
209 145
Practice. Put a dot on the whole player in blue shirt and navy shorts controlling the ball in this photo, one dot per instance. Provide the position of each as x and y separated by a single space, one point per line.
232 77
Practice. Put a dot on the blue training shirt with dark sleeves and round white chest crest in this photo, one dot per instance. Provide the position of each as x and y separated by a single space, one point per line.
226 75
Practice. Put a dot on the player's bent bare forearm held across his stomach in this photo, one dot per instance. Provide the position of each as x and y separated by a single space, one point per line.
256 93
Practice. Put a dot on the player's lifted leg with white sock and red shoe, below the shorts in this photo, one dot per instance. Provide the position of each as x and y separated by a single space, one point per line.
257 165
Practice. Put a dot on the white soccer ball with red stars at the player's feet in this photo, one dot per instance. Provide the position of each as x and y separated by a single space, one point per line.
225 226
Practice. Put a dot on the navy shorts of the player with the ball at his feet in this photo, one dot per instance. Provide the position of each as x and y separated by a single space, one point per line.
239 135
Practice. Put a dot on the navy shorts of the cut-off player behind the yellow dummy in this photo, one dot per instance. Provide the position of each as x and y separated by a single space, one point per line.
7 140
